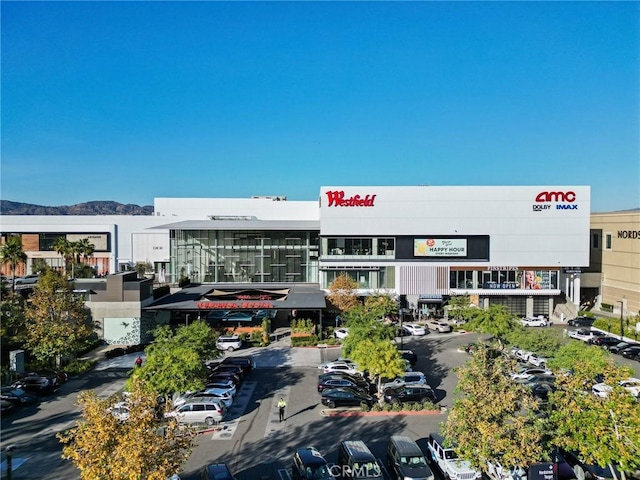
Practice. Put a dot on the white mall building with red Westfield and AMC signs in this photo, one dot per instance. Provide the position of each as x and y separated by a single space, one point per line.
520 246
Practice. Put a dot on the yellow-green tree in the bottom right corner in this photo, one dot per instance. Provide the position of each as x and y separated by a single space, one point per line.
604 431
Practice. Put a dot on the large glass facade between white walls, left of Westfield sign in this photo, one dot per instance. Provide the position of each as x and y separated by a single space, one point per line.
243 256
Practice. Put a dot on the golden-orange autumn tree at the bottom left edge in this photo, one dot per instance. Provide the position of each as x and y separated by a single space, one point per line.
102 446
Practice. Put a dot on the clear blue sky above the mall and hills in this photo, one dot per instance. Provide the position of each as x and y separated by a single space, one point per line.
128 101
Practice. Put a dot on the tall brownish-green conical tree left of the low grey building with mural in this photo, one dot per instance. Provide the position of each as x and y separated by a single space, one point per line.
56 320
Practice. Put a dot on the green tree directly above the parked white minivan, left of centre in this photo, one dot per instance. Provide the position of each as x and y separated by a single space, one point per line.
176 361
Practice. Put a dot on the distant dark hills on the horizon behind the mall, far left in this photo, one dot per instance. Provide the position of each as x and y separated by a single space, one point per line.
89 208
